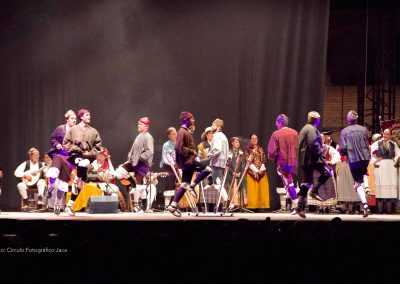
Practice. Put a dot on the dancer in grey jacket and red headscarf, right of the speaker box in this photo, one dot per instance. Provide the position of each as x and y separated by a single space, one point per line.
140 159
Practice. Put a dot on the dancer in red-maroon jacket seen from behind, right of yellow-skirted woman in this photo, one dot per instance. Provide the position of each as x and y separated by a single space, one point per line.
282 149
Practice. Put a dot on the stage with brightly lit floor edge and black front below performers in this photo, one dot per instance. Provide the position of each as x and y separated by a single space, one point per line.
245 247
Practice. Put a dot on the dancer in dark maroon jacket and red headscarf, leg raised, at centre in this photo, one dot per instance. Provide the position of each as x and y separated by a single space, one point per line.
185 155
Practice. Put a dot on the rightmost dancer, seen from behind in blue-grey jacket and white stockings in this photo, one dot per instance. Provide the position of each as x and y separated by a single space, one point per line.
354 145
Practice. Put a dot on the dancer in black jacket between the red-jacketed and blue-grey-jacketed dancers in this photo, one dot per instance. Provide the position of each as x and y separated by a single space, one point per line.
310 157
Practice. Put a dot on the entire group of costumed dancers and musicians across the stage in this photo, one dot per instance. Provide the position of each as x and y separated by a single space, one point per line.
217 174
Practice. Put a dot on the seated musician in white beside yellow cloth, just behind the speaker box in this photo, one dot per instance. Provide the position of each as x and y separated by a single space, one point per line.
102 172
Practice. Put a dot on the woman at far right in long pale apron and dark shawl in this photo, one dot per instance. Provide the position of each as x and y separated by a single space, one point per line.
385 154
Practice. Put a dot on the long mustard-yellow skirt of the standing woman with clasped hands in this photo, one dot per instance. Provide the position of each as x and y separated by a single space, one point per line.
257 193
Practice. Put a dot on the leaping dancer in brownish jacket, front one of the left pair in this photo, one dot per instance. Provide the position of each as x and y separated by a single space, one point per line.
82 143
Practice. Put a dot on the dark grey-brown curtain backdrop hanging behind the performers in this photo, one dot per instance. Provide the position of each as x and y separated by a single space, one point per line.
242 61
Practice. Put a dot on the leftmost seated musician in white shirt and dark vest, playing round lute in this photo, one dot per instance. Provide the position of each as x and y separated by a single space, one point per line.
30 172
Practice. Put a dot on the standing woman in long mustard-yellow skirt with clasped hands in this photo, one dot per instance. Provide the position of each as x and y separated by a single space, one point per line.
257 181
